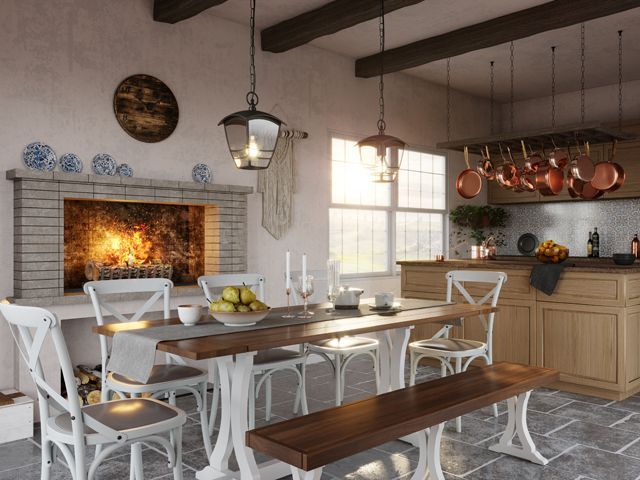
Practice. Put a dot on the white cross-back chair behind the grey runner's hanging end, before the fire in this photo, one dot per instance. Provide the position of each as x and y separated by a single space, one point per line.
165 379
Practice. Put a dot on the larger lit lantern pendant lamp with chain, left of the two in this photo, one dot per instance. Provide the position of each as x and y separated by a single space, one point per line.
251 134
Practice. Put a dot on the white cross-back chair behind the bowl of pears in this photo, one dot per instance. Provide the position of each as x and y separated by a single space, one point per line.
266 362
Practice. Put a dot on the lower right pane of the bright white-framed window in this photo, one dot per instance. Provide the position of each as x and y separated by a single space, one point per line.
419 236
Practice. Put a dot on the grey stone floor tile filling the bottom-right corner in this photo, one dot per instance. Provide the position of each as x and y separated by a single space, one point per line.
597 464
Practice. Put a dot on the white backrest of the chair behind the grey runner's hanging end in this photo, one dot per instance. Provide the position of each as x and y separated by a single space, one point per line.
159 288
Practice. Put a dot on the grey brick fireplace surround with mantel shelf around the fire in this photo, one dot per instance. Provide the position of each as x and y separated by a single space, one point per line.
39 226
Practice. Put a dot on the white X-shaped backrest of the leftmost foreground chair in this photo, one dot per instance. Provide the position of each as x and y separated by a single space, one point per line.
34 325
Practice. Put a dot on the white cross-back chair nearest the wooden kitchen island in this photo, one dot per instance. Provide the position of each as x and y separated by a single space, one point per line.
446 349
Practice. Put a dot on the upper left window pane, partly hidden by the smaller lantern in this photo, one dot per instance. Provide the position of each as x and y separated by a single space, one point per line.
351 181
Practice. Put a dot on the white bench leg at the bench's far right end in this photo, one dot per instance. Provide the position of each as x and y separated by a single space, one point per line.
517 425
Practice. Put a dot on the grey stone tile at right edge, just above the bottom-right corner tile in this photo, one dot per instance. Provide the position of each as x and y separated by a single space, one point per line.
604 438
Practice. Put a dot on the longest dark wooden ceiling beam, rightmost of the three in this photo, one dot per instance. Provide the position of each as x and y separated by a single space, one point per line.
525 23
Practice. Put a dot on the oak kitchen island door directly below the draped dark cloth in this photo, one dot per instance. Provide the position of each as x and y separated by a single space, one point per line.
582 342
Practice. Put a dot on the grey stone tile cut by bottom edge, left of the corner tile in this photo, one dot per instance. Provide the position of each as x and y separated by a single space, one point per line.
510 468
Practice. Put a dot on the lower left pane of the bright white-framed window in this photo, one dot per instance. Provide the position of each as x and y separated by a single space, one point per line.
359 238
